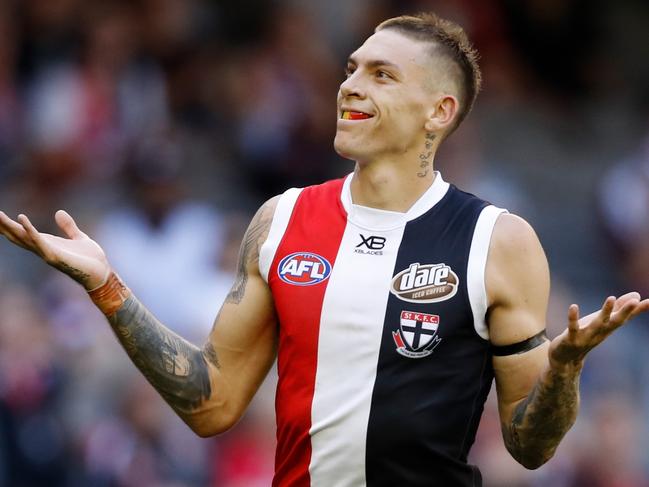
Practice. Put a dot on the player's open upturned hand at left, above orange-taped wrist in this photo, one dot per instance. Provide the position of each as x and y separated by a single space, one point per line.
78 256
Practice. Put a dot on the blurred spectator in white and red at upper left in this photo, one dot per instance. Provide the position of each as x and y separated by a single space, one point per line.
82 116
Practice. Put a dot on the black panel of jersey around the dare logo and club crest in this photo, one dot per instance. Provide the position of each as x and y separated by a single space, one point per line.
425 411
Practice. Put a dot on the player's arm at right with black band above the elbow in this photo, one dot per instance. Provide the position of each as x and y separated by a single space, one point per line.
538 388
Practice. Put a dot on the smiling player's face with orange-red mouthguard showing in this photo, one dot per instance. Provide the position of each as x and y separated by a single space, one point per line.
384 102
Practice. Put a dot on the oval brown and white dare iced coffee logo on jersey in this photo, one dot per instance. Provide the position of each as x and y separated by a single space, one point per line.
425 283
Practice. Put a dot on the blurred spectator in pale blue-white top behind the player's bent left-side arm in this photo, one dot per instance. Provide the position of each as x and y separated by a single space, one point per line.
166 244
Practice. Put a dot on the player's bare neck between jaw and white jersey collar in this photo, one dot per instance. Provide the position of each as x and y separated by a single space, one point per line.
390 186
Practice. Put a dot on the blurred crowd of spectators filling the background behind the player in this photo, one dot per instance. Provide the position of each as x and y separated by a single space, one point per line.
161 125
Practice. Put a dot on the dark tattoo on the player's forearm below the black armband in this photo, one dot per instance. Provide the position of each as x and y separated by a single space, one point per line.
542 419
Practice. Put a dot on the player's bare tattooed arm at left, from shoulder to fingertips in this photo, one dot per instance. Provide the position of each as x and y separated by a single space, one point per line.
208 387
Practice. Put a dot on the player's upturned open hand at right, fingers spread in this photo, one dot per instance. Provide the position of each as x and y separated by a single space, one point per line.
582 335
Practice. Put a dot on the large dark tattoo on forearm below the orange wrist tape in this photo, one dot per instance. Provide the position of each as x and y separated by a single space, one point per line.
175 367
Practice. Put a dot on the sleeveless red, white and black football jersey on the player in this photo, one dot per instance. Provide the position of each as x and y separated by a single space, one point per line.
384 360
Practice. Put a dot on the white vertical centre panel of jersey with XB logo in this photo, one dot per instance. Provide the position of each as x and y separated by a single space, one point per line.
351 327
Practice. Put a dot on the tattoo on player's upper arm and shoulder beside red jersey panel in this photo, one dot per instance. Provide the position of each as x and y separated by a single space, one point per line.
249 252
